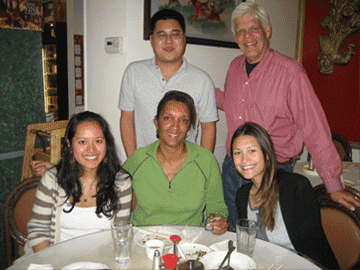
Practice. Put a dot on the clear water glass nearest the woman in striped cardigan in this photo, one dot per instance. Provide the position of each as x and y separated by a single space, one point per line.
122 236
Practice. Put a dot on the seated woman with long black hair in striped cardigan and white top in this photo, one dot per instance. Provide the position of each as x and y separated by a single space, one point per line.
86 191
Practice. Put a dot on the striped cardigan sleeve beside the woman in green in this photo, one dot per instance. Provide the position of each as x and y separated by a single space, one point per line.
124 189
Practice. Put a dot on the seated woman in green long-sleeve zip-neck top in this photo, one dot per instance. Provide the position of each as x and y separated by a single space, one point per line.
174 180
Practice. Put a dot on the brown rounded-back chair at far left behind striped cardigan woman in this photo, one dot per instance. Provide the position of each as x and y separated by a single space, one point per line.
17 211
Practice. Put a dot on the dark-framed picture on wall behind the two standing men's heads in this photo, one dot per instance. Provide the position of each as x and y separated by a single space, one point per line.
207 22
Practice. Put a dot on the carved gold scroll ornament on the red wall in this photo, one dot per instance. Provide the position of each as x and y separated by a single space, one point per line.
331 44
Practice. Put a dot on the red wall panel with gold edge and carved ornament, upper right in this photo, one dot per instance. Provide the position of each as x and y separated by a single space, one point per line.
337 88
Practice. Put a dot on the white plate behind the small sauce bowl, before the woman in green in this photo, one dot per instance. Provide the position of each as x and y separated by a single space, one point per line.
162 233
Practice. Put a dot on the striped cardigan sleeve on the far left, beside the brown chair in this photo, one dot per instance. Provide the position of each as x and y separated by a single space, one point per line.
40 227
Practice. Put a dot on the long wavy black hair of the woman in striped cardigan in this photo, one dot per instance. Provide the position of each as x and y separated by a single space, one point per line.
69 170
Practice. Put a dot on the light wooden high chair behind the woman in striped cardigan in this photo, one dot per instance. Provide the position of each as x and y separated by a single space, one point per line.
54 131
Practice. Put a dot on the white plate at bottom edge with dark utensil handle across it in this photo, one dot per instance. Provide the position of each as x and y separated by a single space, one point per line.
237 260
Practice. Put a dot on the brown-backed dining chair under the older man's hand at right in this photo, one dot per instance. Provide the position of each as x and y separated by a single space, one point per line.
342 228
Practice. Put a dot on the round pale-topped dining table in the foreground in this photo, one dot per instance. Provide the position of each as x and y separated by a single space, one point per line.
99 248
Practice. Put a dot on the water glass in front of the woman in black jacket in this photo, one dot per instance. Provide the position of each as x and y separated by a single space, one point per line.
245 236
